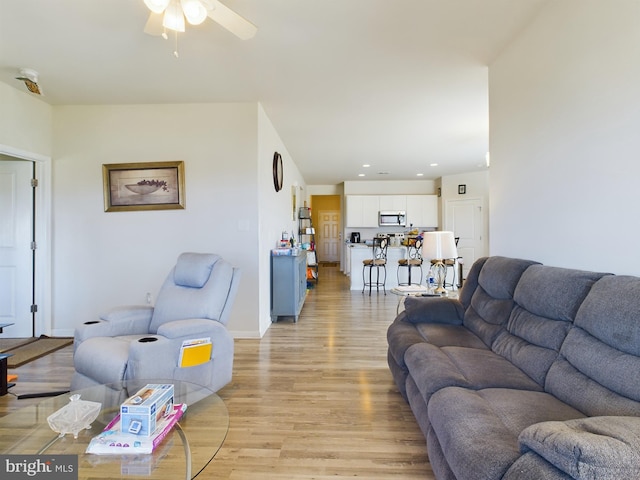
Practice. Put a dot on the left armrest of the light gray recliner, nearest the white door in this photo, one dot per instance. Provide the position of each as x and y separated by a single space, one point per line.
129 320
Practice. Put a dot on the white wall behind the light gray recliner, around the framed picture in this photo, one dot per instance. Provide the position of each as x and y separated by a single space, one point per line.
106 259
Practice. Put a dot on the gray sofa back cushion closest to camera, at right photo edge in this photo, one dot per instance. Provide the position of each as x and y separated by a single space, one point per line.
597 369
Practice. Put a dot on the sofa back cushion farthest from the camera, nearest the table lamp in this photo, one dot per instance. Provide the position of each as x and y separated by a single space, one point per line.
490 305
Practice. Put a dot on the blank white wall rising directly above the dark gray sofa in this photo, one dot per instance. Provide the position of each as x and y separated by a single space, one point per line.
564 123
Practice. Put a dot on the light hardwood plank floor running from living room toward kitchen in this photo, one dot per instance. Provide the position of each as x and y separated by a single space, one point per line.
310 400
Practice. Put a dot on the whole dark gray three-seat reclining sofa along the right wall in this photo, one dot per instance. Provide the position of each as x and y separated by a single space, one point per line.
533 373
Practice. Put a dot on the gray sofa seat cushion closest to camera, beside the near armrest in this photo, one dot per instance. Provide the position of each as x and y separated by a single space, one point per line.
478 430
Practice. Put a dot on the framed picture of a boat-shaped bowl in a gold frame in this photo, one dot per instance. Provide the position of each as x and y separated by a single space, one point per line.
143 186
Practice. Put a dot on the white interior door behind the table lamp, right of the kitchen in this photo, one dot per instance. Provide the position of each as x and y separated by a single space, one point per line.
465 218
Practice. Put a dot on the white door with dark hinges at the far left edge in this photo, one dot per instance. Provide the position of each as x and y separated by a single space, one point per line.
16 270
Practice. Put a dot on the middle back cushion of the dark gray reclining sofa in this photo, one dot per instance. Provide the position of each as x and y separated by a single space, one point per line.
547 300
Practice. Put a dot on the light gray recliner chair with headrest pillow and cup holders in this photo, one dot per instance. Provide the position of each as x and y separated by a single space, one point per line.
144 342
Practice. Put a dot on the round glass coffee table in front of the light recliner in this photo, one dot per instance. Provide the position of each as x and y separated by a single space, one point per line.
184 453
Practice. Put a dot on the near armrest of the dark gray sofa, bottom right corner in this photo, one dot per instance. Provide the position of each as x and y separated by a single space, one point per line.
603 448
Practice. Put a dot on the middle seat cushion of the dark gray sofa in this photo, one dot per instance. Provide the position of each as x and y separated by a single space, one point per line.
434 368
